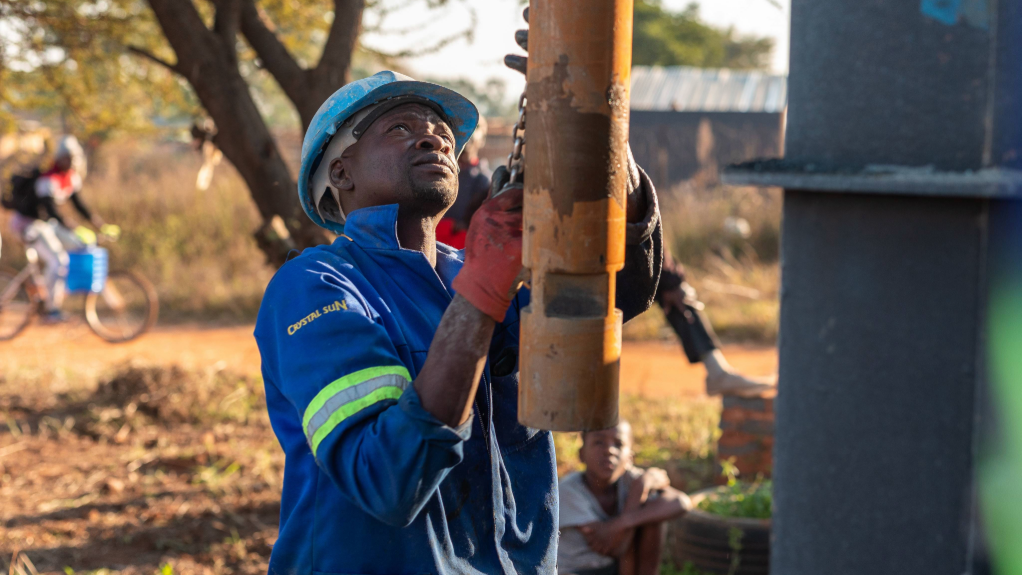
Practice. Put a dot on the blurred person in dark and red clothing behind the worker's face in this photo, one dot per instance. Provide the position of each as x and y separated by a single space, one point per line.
474 185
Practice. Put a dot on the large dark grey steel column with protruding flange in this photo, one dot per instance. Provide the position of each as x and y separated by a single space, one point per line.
903 146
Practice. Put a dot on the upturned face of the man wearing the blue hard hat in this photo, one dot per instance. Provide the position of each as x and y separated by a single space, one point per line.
405 158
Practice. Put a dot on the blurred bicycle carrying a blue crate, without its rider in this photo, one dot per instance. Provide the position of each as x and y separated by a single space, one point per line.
120 306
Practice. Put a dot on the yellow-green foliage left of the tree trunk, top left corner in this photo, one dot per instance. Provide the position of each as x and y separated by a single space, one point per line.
67 60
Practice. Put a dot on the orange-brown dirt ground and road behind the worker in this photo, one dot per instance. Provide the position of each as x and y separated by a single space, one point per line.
171 466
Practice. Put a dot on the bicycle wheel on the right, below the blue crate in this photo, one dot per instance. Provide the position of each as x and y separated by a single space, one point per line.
125 310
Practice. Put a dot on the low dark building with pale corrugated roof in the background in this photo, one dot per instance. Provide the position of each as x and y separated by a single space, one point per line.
688 122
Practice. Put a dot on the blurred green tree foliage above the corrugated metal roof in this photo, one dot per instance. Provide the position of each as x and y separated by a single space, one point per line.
665 38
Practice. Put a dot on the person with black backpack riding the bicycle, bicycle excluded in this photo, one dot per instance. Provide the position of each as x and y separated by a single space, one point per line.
39 224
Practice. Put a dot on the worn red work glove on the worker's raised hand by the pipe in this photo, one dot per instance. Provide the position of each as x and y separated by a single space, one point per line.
492 273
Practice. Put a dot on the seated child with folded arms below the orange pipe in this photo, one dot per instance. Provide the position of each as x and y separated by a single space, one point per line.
613 515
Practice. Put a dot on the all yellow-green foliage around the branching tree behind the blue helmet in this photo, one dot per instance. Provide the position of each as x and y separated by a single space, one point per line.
90 63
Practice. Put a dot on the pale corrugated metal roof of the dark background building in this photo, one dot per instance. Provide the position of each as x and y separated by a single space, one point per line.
693 89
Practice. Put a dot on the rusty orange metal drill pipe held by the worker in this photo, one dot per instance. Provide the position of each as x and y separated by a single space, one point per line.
576 174
